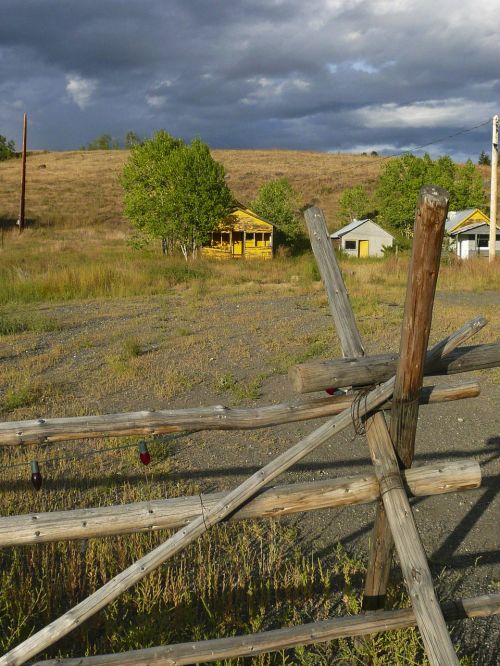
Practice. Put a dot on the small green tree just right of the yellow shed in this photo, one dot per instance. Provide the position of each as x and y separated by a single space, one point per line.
277 202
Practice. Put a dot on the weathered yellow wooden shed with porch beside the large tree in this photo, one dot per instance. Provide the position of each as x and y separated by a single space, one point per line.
241 235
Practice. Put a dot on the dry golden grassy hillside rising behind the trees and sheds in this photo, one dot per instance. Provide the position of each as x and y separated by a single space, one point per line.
81 188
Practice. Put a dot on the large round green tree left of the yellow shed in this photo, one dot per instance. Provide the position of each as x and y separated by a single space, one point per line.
175 192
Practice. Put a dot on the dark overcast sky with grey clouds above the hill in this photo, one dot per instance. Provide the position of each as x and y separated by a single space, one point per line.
328 75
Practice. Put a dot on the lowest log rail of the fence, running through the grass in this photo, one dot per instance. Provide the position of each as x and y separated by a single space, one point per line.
279 639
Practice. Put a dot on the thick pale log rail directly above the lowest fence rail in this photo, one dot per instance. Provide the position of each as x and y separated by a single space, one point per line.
274 502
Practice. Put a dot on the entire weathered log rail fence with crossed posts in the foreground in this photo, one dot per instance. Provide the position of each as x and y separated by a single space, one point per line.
375 383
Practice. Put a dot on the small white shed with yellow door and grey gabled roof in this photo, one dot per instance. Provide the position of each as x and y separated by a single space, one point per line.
362 238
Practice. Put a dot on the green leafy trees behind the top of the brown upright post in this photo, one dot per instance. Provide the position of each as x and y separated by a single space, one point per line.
400 182
